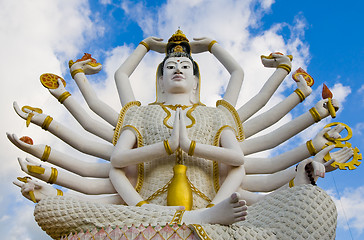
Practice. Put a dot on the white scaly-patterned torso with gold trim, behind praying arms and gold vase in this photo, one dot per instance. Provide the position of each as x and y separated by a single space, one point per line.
154 123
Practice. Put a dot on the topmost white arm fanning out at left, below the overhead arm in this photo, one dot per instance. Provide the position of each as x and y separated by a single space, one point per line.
79 70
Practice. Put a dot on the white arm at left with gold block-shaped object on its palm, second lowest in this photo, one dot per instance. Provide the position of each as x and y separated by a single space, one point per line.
90 186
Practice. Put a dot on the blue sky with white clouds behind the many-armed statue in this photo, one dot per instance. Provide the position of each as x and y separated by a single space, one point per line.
325 38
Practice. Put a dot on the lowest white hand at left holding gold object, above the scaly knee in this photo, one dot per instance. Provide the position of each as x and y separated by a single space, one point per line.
34 190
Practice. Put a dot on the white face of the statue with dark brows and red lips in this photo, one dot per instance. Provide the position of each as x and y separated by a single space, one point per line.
178 75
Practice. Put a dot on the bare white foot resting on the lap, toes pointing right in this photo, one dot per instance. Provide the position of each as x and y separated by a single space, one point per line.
227 212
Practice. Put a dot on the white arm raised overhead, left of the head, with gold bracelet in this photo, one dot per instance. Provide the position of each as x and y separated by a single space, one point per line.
127 68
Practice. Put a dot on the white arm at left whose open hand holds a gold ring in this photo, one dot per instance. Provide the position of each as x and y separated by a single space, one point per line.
82 144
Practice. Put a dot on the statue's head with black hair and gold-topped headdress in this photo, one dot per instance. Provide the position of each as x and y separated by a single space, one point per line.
178 72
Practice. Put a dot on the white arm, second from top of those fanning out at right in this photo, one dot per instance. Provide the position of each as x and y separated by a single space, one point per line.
274 114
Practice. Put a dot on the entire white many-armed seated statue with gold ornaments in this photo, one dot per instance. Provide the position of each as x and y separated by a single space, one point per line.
176 160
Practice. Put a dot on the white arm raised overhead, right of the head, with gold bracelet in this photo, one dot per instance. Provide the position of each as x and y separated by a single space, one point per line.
235 70
